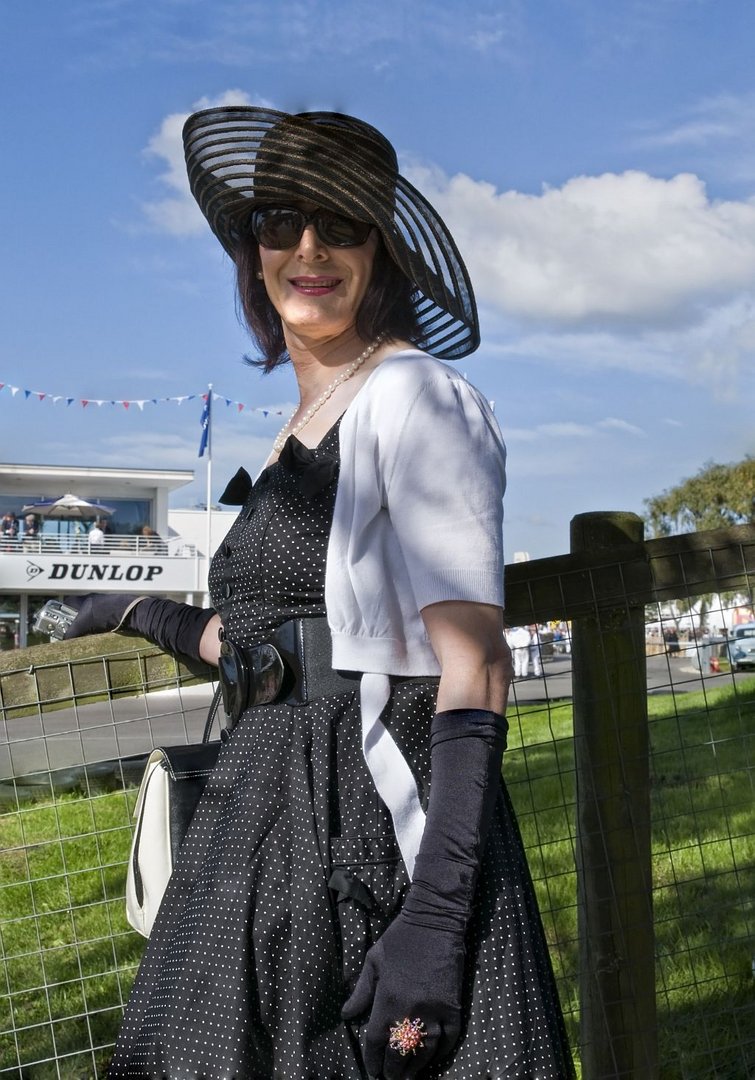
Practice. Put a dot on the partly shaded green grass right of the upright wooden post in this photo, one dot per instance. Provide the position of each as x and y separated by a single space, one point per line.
704 816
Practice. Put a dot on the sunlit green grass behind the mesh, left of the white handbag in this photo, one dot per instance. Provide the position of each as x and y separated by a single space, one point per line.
69 956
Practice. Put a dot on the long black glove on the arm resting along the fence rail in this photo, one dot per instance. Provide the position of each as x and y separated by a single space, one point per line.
174 628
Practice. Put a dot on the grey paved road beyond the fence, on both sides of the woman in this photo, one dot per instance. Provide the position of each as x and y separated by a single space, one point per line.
129 727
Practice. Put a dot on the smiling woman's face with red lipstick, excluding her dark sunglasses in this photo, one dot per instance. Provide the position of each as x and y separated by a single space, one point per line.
318 290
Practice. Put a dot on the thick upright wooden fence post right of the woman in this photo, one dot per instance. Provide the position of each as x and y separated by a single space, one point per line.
618 1028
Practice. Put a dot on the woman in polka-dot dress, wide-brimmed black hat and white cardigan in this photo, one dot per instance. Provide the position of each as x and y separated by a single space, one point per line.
352 899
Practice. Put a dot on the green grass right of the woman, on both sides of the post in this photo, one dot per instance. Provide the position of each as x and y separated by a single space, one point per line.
704 868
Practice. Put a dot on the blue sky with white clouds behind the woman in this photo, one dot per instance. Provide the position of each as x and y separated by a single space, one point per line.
596 160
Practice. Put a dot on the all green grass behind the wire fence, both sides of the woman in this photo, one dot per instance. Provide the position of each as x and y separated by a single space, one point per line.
69 956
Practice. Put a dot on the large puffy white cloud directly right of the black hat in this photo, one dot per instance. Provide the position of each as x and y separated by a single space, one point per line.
611 250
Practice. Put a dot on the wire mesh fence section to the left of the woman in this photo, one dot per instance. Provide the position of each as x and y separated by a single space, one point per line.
73 742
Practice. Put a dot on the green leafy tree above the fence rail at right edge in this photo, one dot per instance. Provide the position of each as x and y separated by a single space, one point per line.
717 497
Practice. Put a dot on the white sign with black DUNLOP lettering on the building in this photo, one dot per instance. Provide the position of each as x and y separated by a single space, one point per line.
56 574
